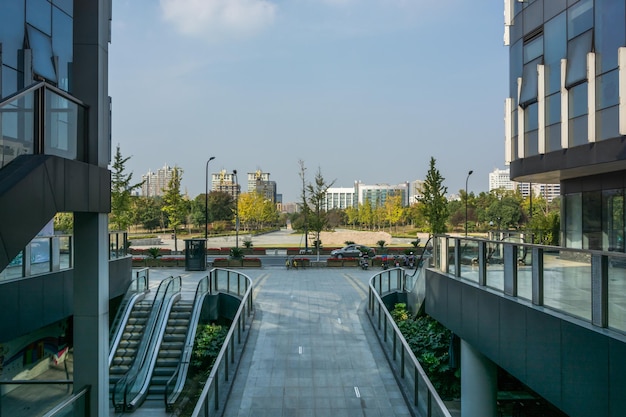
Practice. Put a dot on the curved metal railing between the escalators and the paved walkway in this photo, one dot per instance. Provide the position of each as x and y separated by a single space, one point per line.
222 374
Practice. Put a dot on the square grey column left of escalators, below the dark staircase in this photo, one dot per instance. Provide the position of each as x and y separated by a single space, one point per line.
91 309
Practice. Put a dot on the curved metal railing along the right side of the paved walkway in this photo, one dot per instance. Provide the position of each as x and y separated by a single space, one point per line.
416 385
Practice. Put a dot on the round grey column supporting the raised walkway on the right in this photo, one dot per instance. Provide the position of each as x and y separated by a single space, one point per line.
479 383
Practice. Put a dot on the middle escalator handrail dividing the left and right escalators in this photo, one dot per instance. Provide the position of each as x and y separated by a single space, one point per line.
142 349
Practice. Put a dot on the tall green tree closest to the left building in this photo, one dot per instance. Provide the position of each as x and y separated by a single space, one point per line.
121 192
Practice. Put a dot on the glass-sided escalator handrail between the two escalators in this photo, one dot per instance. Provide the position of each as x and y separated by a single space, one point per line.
167 289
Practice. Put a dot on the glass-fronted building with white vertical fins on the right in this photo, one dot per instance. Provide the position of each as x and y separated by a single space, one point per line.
565 117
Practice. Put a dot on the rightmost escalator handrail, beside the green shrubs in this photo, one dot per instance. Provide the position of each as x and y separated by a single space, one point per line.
180 374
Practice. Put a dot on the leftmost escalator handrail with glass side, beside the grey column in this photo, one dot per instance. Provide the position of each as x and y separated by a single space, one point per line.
137 289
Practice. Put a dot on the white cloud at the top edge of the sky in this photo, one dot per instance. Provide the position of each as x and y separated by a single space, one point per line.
216 18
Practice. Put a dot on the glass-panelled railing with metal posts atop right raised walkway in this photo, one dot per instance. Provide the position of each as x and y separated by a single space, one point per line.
585 284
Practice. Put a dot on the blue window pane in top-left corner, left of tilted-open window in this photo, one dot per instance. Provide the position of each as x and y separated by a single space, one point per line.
11 31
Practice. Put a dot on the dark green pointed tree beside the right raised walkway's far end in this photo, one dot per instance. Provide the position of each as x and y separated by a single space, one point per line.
433 202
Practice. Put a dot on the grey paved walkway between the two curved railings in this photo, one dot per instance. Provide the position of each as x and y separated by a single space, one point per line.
312 351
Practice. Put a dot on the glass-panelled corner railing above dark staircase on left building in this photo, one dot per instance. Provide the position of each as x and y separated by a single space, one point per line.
41 119
